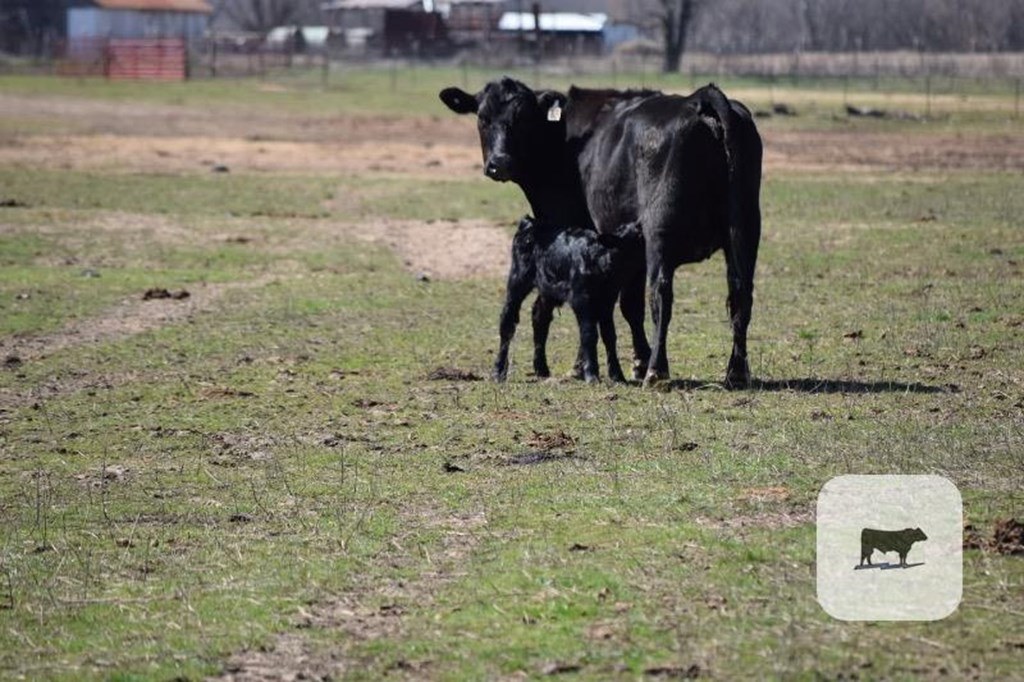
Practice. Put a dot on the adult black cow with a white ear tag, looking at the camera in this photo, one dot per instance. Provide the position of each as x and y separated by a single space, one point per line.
688 168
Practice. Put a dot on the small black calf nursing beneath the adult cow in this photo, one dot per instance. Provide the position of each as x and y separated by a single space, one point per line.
574 266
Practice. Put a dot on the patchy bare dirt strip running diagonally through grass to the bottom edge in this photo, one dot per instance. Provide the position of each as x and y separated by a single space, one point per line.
292 656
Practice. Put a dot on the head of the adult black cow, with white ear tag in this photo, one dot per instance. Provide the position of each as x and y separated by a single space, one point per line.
518 126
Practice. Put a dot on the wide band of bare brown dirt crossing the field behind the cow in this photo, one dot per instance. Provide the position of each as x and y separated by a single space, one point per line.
152 139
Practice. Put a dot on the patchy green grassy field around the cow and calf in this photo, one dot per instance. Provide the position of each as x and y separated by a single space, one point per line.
293 472
